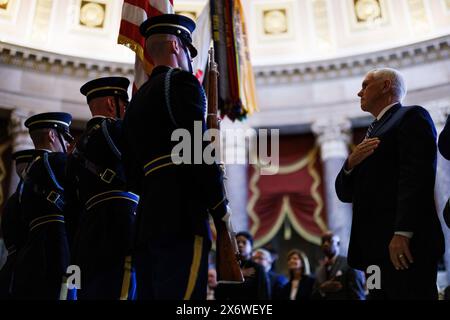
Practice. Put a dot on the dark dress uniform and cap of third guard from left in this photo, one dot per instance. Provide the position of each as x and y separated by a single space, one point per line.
102 245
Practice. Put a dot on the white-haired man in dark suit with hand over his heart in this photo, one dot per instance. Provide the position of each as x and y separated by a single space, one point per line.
389 178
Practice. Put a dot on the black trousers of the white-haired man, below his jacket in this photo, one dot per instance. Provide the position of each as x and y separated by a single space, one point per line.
418 282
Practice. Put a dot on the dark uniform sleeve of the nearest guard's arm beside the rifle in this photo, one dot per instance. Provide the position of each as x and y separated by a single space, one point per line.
190 103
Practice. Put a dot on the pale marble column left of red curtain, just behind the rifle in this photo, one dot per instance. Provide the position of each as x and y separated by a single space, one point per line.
234 141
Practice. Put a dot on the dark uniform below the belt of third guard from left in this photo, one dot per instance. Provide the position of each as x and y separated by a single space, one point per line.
103 251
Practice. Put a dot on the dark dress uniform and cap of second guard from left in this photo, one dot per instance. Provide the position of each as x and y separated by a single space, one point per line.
42 261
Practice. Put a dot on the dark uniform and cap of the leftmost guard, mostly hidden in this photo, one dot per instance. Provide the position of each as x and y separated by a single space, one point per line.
14 229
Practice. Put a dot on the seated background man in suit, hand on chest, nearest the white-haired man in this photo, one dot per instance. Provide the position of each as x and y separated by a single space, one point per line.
335 280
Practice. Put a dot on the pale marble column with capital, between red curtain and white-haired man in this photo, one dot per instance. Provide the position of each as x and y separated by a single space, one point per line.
333 136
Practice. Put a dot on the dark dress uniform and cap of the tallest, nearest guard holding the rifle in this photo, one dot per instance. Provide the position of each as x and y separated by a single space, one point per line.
173 236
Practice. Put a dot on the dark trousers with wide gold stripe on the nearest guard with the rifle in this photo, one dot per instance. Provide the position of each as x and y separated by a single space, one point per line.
173 269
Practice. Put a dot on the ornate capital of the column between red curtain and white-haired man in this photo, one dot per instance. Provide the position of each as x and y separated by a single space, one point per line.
333 136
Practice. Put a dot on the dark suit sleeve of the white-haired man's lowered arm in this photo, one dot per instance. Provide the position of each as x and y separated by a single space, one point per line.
417 169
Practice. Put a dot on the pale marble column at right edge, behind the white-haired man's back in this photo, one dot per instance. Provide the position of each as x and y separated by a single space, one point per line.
439 112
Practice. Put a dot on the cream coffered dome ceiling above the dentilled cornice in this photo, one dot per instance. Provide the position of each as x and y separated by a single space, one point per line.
280 31
